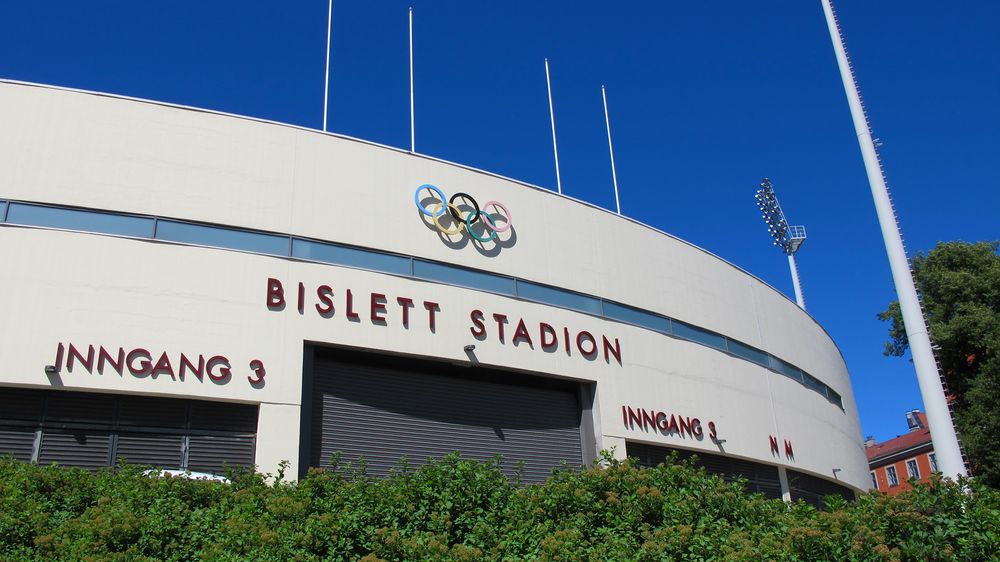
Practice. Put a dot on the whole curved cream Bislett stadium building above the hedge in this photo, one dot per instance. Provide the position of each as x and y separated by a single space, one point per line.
186 288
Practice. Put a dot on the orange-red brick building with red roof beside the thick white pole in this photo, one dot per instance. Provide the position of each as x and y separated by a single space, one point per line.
894 462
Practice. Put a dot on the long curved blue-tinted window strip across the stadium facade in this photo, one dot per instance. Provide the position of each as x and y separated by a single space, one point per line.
285 245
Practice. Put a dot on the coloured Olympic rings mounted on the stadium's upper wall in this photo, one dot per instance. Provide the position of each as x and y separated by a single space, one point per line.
448 209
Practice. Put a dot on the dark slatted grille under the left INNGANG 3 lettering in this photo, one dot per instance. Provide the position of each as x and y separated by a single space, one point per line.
95 430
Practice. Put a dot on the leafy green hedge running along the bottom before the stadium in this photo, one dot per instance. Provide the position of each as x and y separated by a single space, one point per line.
455 509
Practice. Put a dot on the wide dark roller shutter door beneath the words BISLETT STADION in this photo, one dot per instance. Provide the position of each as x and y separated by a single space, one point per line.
383 414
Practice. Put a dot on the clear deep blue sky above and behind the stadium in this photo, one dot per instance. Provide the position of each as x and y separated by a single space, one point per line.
706 98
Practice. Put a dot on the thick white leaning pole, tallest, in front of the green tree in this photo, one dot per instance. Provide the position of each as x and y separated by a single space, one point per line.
943 436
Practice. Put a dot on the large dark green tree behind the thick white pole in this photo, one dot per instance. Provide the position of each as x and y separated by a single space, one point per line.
959 285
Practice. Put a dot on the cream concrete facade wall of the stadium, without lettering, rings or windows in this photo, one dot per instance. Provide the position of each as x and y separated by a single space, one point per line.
63 147
